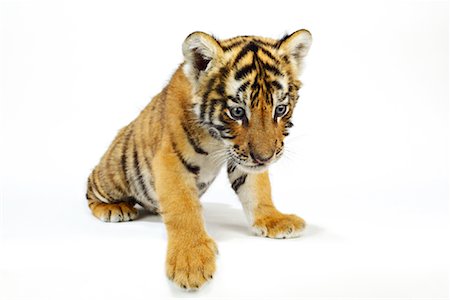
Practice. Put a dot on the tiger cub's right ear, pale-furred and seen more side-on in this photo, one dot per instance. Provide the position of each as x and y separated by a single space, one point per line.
296 46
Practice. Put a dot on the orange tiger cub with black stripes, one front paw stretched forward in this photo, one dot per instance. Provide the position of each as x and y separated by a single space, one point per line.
230 102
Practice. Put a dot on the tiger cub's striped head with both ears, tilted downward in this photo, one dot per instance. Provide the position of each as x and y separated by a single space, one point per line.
245 90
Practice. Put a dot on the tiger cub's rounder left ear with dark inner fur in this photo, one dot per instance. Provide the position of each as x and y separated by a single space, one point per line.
201 51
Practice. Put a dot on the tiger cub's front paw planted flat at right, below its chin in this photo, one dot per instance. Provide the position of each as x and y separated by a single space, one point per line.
279 226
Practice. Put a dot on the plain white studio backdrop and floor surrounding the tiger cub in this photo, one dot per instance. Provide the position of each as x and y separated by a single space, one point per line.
367 165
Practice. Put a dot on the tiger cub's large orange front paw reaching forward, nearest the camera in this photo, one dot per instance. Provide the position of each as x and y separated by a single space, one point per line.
190 264
